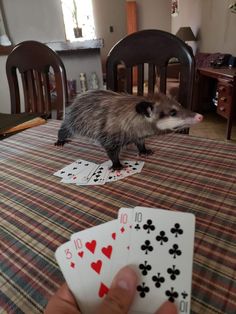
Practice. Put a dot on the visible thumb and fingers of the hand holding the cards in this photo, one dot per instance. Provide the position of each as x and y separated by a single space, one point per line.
117 301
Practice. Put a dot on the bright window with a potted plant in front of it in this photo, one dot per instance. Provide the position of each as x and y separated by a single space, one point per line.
78 19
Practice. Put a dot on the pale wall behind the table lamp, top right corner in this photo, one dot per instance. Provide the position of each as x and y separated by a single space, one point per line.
211 22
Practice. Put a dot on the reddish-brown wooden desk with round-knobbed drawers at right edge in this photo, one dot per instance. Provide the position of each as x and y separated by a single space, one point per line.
226 88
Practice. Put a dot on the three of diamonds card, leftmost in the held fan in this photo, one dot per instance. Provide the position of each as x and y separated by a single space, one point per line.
69 265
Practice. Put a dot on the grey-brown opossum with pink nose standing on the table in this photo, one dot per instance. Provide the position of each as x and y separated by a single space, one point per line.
115 120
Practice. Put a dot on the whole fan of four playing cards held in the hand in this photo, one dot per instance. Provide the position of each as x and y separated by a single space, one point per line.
157 243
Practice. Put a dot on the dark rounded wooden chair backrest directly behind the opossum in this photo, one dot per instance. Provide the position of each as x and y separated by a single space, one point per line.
154 49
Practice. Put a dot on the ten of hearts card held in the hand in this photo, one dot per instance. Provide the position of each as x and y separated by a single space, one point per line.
94 248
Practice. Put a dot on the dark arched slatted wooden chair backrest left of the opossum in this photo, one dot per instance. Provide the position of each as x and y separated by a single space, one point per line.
40 68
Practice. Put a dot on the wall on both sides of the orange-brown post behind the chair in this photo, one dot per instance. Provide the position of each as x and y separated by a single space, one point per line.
150 14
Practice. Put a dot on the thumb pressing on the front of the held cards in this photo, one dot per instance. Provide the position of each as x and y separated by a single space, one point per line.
121 293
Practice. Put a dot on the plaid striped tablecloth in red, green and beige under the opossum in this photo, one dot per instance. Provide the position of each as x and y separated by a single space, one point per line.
38 213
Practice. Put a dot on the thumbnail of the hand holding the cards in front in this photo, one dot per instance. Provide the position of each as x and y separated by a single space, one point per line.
125 279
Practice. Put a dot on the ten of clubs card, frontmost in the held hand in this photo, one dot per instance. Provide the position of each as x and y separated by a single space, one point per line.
161 248
